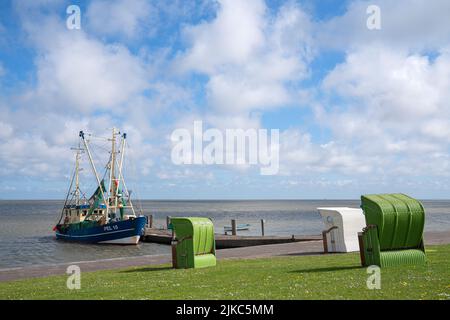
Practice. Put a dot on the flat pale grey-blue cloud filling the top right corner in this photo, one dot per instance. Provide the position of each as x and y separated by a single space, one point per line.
415 25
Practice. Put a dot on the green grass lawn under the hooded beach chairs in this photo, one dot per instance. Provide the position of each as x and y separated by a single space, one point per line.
337 276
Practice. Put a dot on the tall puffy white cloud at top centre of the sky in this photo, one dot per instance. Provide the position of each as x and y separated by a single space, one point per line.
250 56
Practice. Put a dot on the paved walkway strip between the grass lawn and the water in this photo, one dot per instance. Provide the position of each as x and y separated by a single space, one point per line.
288 249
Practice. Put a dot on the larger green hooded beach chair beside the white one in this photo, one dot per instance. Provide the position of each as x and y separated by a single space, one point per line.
394 232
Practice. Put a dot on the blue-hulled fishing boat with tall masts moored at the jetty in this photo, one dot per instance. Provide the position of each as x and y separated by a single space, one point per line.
108 216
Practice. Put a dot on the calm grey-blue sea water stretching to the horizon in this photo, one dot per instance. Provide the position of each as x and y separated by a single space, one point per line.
26 236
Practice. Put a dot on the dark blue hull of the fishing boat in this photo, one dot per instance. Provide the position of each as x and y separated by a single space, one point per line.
112 232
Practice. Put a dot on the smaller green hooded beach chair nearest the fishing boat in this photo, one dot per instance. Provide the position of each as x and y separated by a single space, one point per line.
194 243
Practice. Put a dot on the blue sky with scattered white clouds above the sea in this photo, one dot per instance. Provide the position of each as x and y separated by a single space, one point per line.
358 110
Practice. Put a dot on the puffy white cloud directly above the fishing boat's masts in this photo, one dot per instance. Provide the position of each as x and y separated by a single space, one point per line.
75 70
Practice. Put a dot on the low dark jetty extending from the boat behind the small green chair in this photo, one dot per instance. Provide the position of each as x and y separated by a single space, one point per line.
164 236
